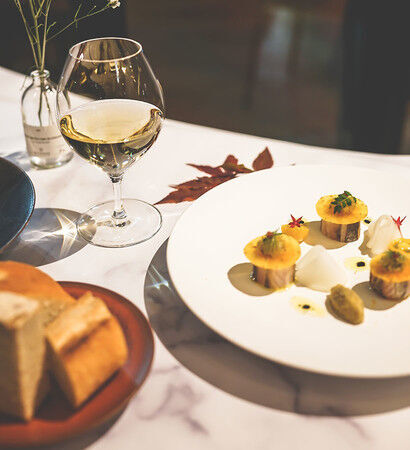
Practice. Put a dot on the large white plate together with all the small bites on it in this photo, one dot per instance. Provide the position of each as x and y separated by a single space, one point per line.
302 303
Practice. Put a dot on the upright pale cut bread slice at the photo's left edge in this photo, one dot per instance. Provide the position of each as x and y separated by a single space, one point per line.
23 381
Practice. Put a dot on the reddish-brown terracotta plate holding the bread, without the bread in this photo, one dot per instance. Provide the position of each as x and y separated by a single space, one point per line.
55 420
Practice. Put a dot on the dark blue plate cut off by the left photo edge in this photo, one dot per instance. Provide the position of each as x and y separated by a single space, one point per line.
17 198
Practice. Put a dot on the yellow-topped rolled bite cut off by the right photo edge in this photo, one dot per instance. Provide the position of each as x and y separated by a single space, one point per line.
390 275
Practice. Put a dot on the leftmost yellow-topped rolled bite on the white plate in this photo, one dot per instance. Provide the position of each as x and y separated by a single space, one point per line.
273 257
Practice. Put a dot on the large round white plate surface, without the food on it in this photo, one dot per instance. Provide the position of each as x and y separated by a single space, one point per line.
208 241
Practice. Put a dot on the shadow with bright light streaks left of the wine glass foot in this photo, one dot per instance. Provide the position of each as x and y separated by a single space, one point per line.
50 235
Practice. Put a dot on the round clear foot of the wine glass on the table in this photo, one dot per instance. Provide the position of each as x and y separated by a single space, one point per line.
98 227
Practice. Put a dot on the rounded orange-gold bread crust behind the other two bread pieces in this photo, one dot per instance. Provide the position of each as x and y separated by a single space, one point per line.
32 282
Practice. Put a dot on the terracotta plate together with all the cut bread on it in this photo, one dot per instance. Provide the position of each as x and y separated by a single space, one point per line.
98 350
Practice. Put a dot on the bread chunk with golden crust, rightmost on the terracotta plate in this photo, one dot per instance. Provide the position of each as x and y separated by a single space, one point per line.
87 346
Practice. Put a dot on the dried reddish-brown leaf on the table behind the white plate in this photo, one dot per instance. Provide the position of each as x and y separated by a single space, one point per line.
193 189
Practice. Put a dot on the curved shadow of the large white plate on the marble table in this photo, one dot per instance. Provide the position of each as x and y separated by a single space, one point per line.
247 376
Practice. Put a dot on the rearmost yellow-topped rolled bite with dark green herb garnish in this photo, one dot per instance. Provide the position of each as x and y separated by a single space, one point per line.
341 216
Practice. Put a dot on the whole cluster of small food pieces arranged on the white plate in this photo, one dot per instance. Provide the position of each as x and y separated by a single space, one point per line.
274 256
